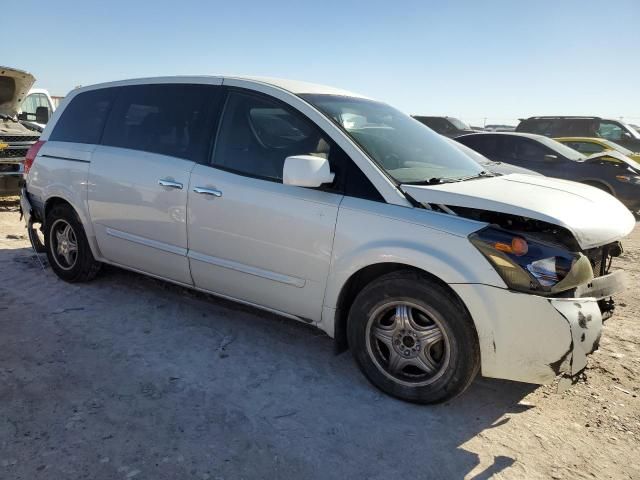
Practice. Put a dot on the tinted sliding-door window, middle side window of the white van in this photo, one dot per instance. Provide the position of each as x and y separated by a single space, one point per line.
171 119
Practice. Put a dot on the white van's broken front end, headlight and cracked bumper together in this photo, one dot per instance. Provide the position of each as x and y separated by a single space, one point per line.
550 317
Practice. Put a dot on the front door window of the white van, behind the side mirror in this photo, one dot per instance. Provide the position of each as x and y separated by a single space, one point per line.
257 134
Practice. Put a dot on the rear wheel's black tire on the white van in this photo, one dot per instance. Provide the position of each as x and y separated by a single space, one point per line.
83 266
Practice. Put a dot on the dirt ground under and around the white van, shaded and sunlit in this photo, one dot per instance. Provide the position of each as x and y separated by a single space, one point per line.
128 377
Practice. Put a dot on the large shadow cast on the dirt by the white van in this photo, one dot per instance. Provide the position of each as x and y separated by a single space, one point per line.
130 374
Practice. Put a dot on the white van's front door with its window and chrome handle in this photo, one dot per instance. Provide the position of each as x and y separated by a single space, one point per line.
251 237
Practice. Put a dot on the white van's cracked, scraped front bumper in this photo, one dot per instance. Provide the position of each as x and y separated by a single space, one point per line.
534 339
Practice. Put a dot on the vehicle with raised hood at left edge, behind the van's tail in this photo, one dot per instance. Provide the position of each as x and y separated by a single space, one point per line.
16 136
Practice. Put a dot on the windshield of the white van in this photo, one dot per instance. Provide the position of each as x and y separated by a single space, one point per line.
407 150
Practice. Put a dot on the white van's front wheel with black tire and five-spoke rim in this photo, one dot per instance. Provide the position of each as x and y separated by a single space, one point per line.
455 358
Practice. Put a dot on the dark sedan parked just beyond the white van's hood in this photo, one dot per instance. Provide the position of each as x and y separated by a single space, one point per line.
620 177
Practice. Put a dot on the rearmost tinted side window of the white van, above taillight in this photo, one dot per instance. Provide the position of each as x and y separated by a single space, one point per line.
83 119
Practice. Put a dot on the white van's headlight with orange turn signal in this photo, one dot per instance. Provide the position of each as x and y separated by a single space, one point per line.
531 265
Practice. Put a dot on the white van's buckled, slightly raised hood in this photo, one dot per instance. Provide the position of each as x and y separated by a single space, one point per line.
593 216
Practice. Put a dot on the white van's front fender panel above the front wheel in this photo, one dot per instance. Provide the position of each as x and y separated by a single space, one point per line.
370 236
